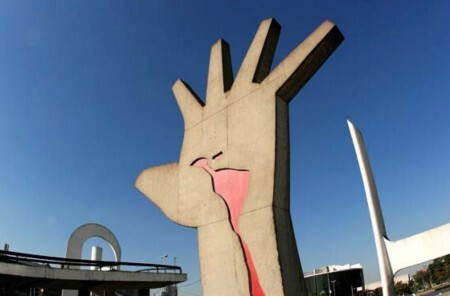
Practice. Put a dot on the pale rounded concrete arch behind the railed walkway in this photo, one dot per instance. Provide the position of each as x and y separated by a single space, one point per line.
89 230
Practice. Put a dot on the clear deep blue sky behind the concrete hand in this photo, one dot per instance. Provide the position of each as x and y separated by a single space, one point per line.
86 104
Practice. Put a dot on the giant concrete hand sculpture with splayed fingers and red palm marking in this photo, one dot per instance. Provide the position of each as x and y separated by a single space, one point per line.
232 179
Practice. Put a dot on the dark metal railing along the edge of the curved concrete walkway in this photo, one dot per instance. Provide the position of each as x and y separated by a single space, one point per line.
67 263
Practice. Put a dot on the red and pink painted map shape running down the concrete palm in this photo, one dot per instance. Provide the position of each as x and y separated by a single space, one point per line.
232 186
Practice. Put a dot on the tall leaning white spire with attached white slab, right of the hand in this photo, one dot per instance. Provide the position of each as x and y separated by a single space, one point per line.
395 255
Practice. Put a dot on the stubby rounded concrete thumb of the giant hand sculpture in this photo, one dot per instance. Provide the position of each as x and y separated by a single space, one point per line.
160 185
